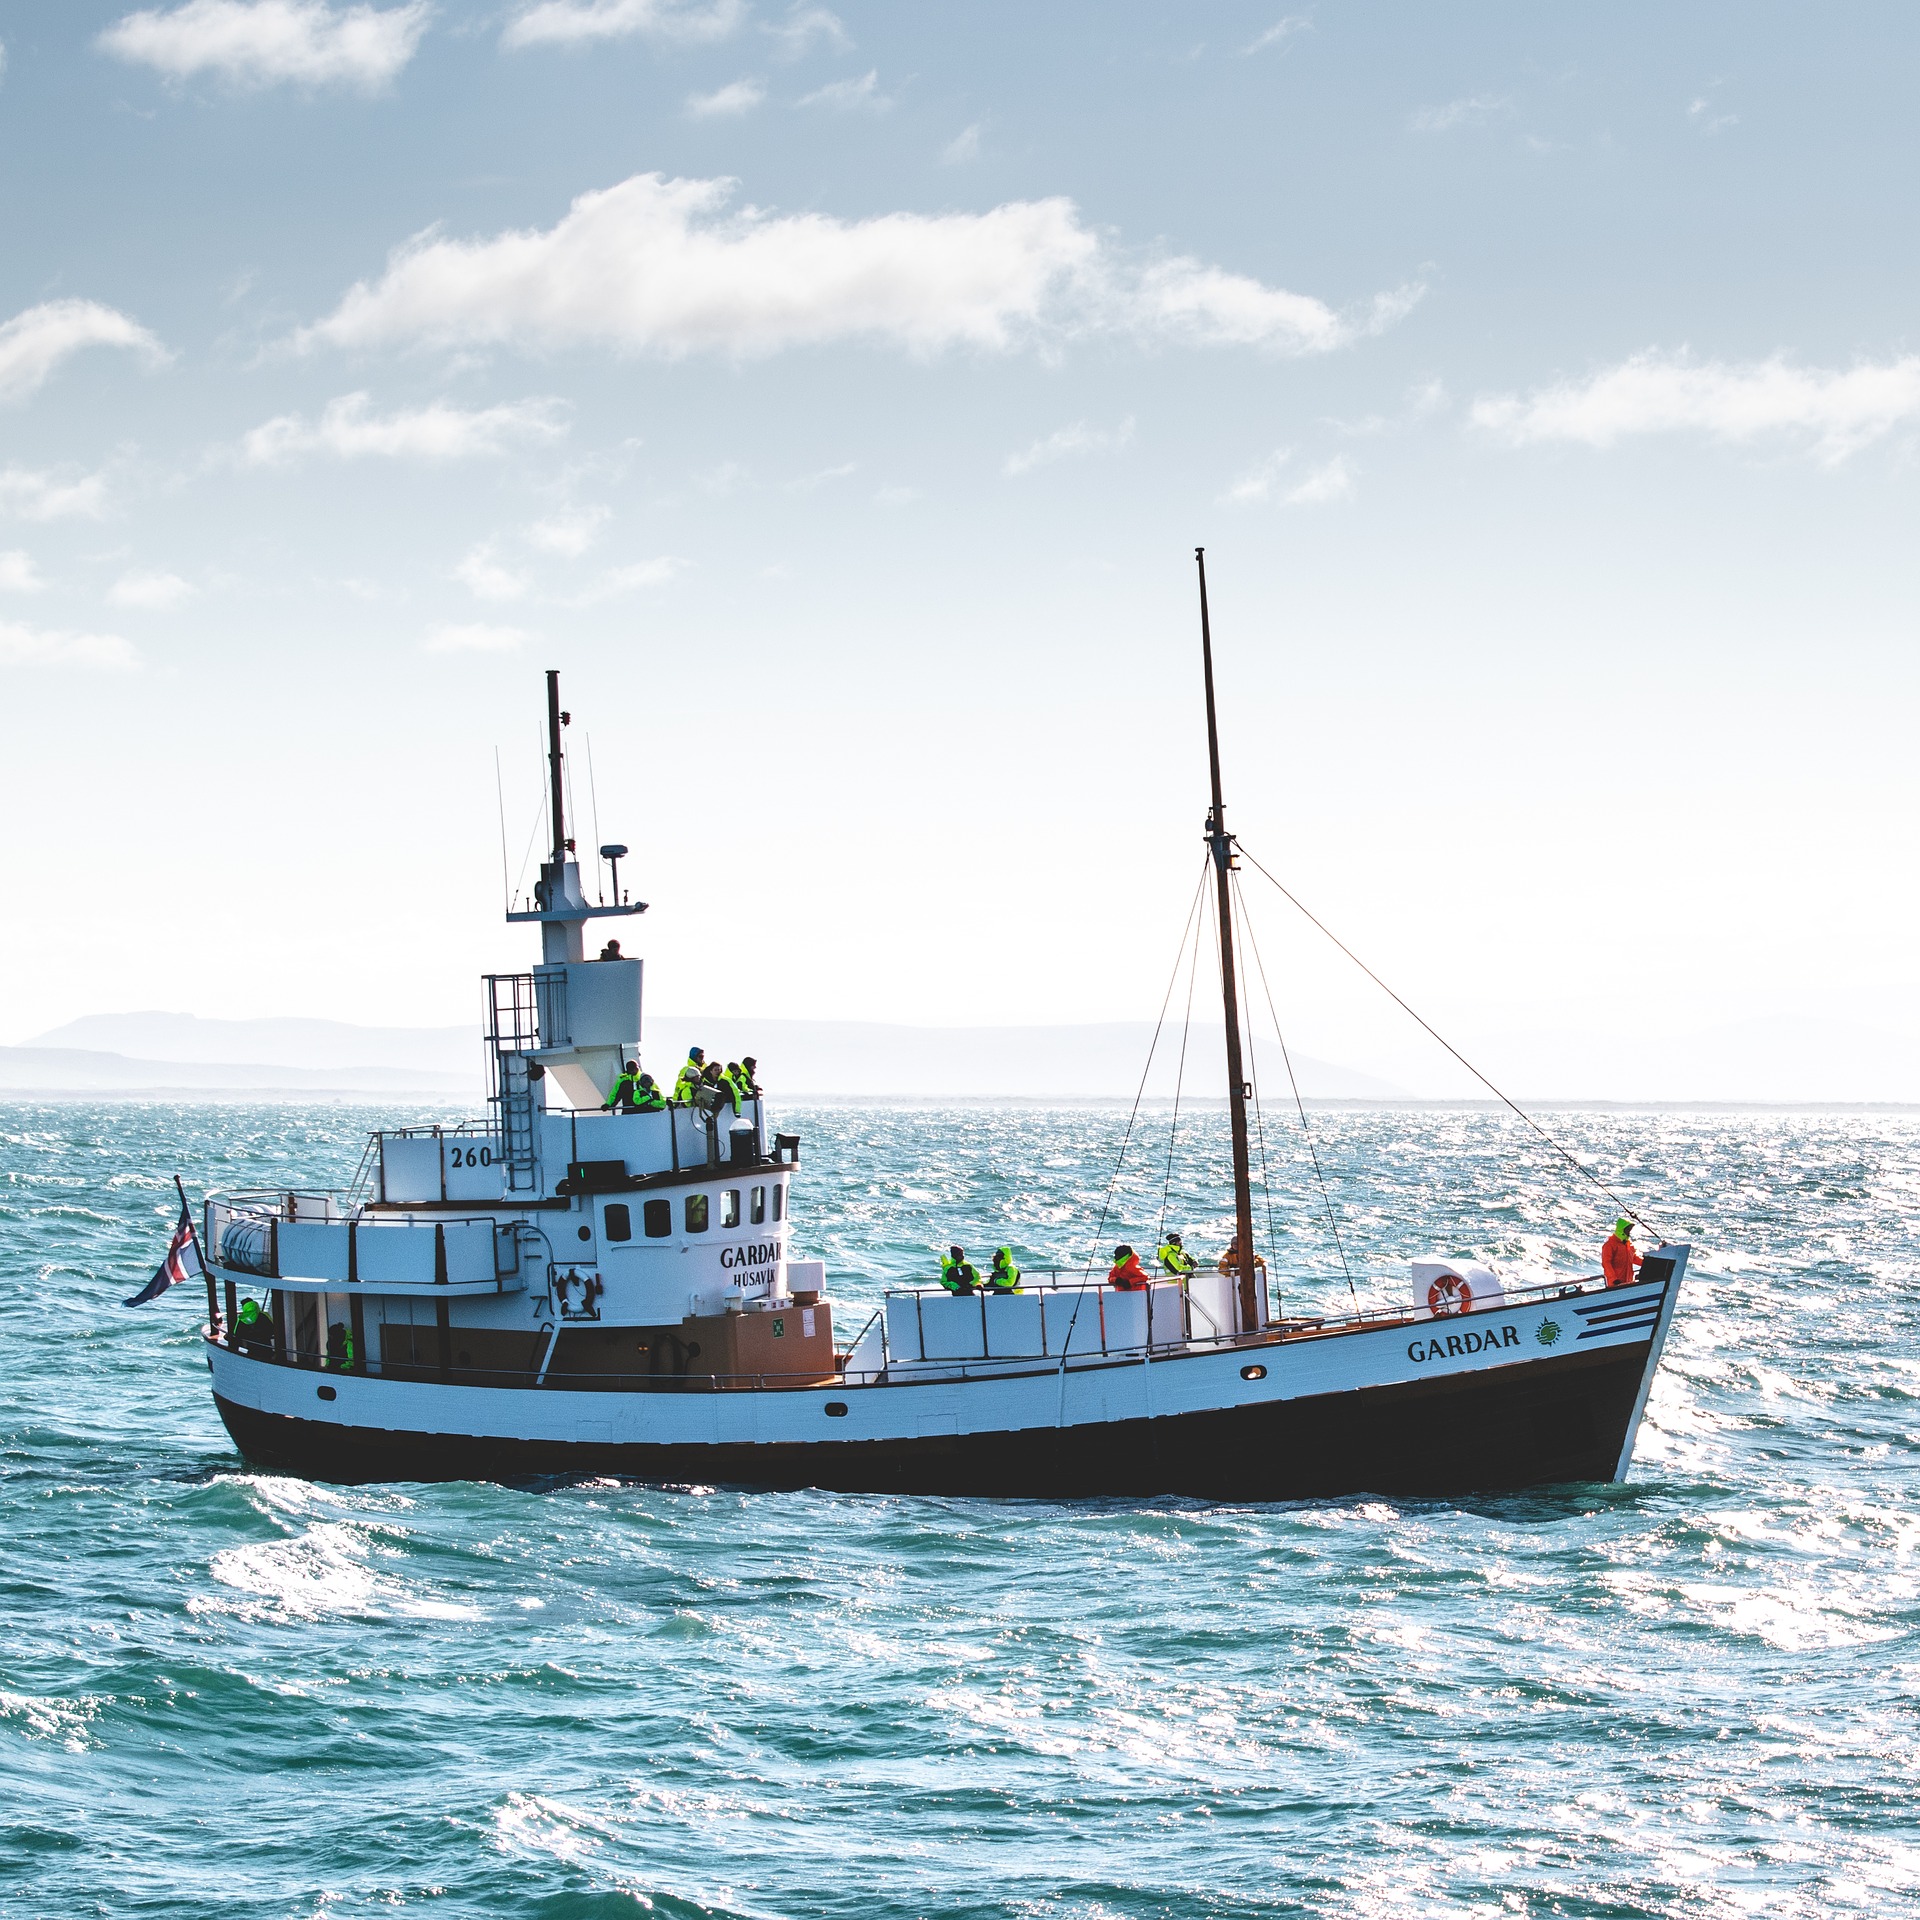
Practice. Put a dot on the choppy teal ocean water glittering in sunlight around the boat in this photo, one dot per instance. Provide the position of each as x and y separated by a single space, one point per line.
1698 1694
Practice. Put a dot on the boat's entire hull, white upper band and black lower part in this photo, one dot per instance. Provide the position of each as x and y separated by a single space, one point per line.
1305 1429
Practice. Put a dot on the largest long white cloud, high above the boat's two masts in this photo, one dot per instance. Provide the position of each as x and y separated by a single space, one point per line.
660 266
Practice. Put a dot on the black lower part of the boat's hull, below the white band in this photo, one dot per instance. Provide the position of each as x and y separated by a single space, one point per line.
1541 1424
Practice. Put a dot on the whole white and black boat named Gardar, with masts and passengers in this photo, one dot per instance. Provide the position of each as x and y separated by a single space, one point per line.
565 1287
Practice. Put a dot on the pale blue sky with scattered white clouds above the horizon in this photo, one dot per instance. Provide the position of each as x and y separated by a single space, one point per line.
836 398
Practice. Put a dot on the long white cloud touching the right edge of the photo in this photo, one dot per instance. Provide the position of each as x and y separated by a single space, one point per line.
1831 414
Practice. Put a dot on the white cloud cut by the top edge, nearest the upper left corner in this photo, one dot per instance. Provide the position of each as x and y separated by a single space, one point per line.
256 43
